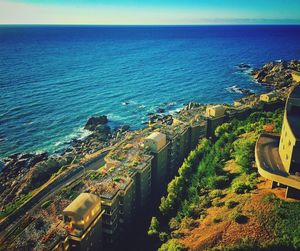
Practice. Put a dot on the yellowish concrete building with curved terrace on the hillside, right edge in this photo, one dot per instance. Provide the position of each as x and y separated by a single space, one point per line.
278 158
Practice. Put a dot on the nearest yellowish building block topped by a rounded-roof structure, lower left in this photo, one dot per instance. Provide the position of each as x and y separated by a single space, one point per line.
83 220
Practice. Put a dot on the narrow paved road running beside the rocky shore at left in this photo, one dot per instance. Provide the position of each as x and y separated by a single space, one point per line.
12 221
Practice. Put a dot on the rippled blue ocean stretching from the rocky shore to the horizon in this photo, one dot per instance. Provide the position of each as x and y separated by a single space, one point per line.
53 78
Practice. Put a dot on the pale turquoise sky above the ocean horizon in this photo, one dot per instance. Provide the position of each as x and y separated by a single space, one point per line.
149 12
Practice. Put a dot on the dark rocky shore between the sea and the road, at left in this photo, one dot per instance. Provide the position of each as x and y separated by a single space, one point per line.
21 173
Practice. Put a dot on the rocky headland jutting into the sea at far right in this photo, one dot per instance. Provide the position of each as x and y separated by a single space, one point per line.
277 74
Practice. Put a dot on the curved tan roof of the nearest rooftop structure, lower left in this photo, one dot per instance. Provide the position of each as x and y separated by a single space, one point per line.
82 204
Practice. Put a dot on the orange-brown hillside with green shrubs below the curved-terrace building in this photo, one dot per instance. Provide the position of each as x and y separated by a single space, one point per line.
219 202
